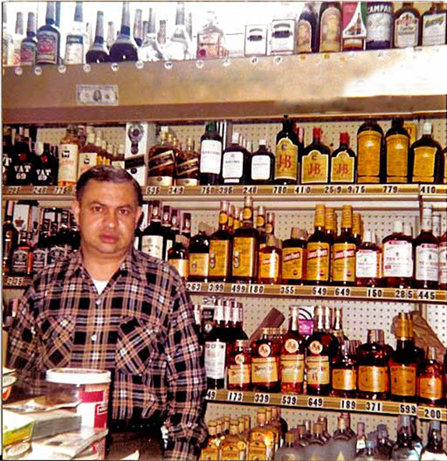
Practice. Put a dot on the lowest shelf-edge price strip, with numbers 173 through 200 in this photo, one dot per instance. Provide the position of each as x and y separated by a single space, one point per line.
377 407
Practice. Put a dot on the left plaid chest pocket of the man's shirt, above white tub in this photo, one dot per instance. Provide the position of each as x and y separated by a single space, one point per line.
57 340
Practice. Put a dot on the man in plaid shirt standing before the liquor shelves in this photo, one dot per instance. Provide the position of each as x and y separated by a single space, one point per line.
109 306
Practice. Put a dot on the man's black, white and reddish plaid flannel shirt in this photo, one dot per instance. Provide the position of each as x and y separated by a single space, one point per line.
141 328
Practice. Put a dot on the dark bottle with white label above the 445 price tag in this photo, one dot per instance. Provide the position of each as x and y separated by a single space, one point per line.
426 257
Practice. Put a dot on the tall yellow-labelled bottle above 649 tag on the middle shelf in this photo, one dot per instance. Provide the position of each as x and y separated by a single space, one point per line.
344 251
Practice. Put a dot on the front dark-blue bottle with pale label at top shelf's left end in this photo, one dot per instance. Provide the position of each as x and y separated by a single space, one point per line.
49 38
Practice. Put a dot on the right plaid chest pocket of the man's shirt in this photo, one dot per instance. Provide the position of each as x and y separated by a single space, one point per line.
136 346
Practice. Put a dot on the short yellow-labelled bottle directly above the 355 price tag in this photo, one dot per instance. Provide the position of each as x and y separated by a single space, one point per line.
294 258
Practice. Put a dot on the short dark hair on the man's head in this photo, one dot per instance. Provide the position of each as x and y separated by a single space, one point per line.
107 173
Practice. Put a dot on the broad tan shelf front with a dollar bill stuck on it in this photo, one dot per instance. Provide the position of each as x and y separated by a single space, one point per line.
362 83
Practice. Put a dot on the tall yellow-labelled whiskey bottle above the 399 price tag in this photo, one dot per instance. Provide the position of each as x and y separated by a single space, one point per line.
221 248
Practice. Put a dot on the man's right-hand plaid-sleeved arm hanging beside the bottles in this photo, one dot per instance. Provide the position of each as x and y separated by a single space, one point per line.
186 381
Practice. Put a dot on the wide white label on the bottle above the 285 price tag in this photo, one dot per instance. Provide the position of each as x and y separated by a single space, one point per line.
397 259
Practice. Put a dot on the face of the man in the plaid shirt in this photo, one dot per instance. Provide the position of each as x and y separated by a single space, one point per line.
107 216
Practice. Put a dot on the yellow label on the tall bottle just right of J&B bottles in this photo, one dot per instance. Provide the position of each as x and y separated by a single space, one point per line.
368 151
